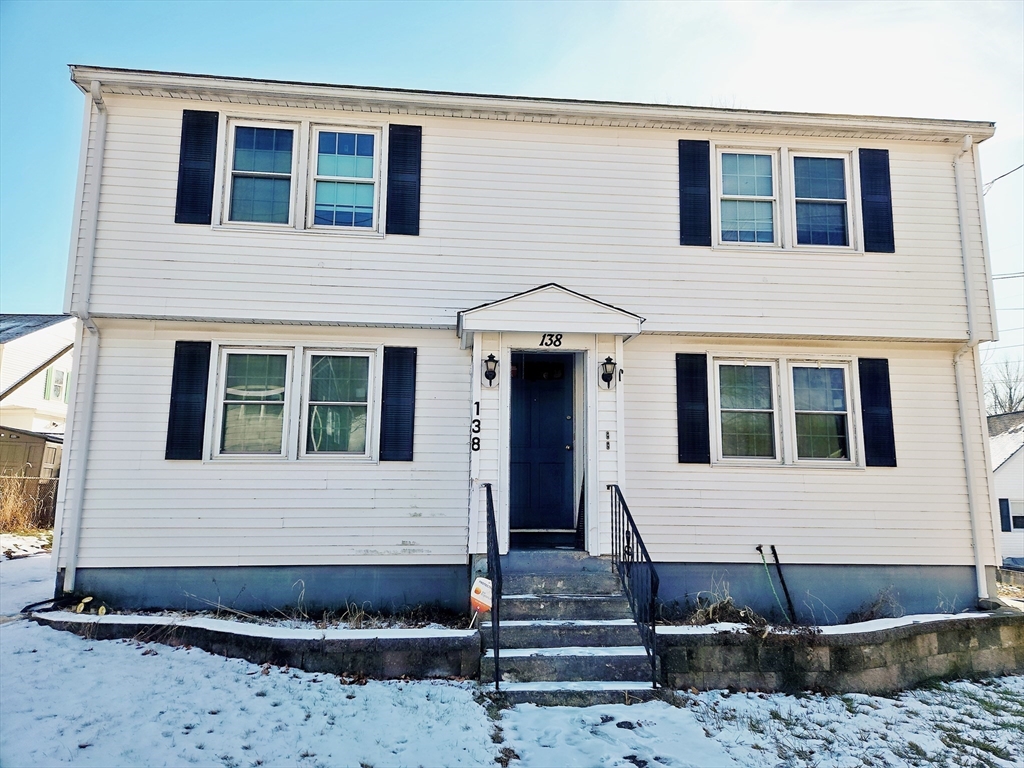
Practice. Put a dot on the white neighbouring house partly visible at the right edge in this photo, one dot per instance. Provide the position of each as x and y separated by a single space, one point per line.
1006 436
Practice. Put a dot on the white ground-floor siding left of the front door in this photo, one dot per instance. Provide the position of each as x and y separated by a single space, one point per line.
142 510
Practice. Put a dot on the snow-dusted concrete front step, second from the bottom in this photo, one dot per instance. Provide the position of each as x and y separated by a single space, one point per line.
628 663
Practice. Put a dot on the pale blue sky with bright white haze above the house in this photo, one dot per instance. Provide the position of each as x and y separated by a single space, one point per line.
961 61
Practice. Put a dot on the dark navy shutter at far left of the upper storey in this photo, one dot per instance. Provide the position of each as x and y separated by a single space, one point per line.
196 166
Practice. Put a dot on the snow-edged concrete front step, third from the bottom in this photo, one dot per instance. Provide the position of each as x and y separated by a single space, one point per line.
556 633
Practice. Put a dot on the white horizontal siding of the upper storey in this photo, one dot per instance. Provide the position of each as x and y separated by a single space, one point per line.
506 206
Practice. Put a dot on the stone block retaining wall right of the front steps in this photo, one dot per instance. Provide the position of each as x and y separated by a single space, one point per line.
879 662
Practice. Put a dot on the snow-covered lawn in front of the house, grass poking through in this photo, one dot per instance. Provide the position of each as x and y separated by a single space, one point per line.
65 701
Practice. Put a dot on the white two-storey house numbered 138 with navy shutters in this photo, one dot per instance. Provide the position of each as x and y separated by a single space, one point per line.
318 320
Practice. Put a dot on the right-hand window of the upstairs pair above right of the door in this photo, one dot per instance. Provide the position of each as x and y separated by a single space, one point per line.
822 201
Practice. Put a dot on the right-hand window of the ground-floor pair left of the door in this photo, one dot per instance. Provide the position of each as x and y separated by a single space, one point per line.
337 407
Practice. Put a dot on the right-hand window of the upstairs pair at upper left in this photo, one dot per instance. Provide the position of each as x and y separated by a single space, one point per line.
345 183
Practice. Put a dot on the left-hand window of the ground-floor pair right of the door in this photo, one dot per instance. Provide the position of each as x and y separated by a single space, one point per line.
747 411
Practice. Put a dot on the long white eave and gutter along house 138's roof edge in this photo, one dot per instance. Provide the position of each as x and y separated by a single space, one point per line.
518 109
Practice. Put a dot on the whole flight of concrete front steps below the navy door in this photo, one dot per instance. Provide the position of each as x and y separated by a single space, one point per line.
568 635
